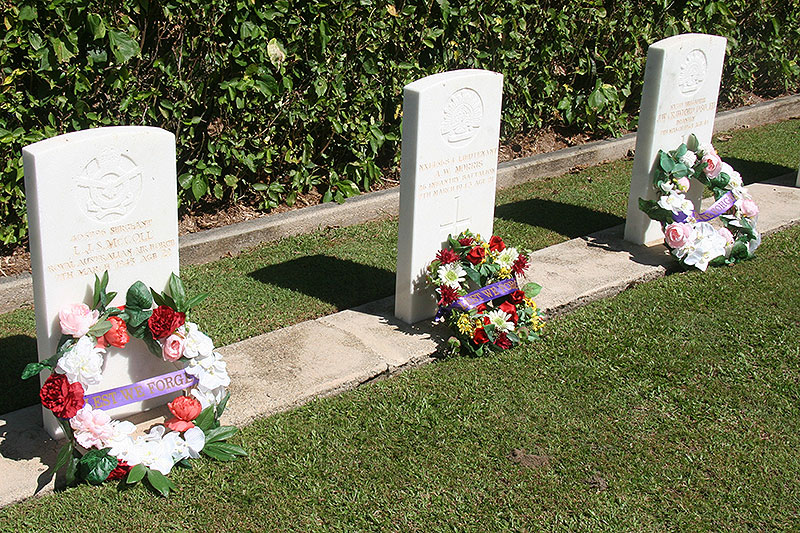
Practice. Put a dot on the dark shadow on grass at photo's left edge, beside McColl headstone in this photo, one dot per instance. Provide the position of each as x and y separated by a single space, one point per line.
17 351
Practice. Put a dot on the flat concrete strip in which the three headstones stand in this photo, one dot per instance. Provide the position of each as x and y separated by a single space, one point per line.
288 367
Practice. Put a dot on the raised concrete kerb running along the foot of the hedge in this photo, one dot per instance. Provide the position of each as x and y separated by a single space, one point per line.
210 245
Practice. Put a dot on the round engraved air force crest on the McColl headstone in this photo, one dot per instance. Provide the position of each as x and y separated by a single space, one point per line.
109 186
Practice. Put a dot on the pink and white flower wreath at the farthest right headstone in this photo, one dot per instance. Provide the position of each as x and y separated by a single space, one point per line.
688 234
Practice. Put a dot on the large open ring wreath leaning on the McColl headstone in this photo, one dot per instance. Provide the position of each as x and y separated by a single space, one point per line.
112 453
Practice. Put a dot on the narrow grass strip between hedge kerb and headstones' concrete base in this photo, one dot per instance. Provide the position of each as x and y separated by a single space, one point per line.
308 276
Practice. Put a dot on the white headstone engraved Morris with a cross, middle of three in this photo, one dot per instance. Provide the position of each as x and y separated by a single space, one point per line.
451 132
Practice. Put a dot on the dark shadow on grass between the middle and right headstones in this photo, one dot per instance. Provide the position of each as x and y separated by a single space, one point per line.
568 220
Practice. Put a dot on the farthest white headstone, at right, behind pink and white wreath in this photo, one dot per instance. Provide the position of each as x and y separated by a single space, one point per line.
679 97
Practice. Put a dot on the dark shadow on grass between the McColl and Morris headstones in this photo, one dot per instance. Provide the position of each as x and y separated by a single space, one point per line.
339 282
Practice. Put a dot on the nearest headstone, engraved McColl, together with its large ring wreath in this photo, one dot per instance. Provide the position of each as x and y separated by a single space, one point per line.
112 324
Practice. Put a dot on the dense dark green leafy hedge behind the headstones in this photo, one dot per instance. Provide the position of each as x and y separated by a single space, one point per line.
274 97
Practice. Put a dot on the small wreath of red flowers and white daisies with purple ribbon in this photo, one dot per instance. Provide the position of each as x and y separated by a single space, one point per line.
498 314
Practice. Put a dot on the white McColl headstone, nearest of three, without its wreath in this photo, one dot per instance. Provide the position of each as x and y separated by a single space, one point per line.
101 199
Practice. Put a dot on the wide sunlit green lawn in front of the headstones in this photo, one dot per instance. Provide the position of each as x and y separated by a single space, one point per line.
673 406
